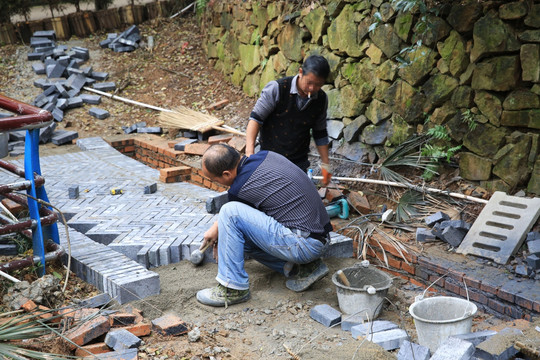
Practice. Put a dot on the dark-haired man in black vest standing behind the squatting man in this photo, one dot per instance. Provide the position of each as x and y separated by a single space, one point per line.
291 110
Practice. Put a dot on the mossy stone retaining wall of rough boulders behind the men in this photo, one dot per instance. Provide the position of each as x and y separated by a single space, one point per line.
476 62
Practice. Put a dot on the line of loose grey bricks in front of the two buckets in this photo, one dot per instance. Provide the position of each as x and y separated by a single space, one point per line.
474 345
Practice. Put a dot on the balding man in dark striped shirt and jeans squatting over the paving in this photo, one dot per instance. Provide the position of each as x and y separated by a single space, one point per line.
274 215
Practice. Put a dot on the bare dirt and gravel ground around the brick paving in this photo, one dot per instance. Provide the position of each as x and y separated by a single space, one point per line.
176 72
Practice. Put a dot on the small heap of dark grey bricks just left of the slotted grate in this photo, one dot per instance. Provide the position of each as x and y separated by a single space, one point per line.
450 231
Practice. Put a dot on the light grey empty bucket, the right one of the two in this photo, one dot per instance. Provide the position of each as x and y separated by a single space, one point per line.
440 317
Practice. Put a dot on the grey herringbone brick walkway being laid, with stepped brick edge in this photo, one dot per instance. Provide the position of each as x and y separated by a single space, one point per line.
116 238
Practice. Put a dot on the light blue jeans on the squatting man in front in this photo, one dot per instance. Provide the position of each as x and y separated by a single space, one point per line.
245 230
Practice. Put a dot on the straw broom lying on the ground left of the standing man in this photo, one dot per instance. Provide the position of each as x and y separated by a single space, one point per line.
185 118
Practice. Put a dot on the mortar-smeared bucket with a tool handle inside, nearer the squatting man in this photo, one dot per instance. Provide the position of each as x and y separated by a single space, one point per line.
356 299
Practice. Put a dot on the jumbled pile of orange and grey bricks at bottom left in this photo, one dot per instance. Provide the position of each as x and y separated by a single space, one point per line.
93 331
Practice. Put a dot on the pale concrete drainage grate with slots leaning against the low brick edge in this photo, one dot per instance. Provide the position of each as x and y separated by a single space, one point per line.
501 227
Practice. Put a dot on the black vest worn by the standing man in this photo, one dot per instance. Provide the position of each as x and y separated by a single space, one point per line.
287 129
